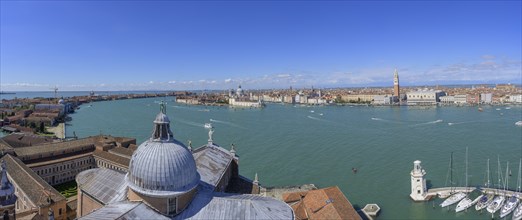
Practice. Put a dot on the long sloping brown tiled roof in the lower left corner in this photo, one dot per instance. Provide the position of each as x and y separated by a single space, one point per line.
36 189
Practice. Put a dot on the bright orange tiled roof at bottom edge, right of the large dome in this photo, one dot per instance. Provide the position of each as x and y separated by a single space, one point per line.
327 203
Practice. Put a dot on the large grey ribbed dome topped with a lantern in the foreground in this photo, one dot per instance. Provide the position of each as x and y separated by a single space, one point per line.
162 166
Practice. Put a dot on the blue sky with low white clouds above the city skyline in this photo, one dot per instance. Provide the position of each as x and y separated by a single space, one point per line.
137 45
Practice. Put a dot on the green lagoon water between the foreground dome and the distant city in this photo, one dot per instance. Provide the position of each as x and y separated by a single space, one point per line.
293 145
